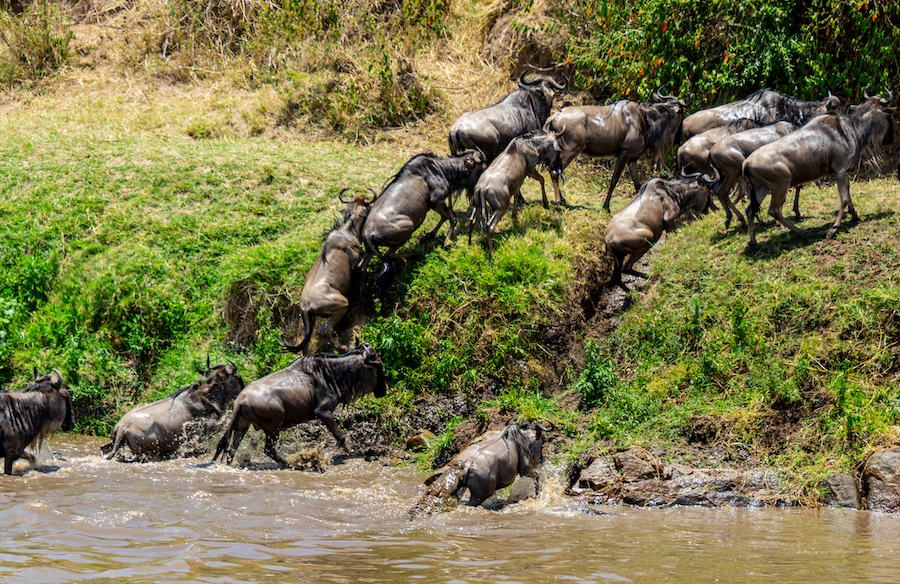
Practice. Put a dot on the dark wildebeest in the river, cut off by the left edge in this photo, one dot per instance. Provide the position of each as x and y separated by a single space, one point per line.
27 417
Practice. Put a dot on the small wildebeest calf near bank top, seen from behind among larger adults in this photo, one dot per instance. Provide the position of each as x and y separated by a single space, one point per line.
501 182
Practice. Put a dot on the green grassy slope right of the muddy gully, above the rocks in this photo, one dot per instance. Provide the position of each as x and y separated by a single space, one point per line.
792 353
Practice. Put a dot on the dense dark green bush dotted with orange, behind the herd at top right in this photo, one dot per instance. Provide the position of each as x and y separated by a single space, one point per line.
715 51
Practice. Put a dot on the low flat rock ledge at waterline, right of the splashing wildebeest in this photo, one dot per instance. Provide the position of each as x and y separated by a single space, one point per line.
637 477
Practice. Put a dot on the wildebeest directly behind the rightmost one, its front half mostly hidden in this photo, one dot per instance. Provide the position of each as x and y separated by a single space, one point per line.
728 155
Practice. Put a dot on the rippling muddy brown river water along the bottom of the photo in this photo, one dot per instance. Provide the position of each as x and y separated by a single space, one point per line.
84 519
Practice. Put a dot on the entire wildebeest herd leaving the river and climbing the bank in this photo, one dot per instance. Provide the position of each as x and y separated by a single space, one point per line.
771 140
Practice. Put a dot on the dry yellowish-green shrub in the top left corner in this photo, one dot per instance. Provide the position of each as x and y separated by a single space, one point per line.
36 41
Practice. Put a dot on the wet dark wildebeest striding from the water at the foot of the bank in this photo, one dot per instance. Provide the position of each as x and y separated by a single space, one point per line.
310 387
